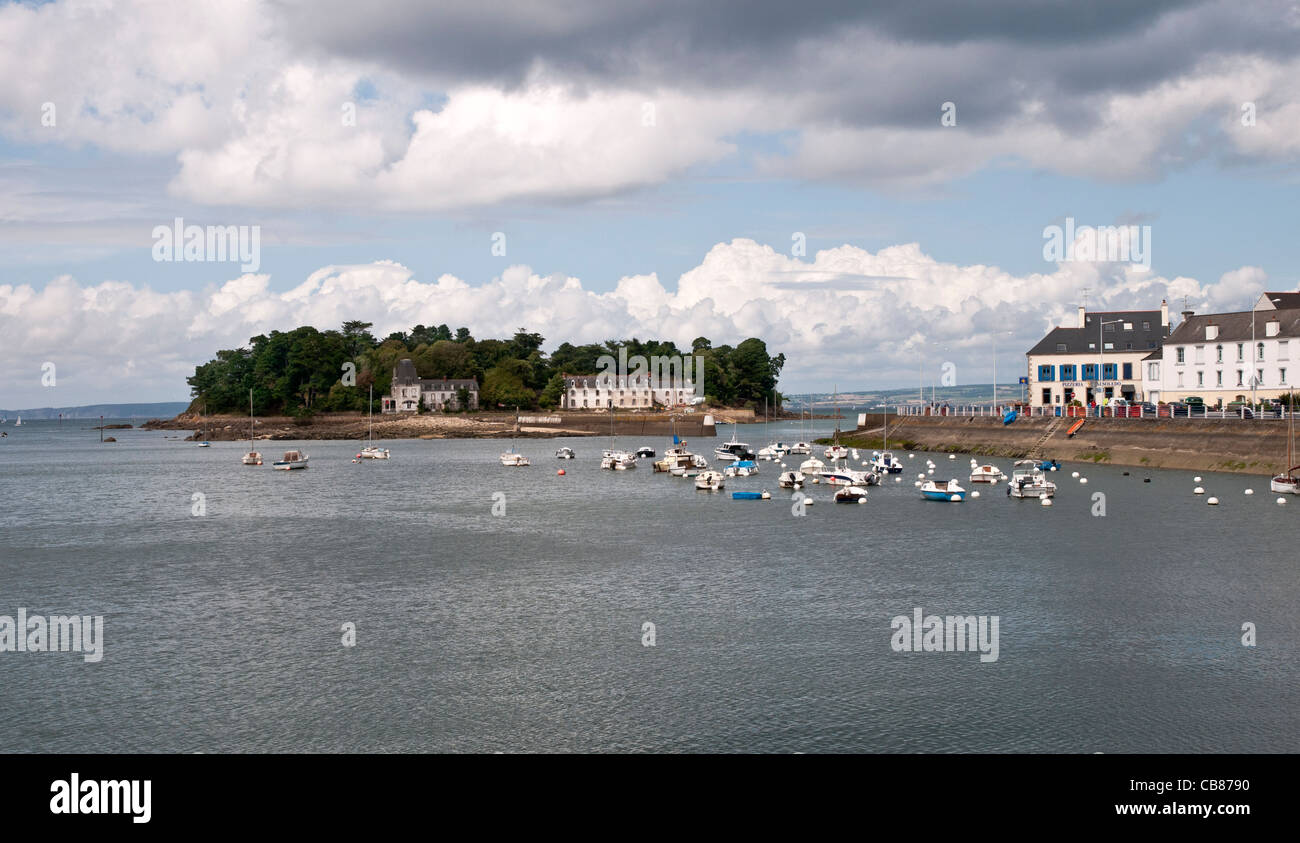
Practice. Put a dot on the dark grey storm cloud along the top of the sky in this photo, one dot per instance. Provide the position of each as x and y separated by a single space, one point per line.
856 64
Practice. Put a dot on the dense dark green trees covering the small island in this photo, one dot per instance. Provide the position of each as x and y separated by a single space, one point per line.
301 371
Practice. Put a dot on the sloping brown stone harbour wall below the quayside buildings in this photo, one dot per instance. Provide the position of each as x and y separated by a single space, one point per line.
1236 446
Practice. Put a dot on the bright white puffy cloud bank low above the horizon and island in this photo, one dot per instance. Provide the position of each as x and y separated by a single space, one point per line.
116 341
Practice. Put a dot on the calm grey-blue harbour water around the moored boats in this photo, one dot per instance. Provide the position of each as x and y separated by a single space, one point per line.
523 633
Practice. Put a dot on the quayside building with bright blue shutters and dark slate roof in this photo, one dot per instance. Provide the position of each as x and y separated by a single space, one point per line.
1107 356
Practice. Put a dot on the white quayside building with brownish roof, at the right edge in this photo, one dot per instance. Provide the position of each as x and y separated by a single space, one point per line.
1220 357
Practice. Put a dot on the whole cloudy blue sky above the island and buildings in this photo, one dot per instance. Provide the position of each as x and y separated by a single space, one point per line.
869 188
